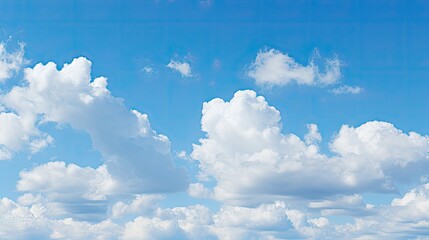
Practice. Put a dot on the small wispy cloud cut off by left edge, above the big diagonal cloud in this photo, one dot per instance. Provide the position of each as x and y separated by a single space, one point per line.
10 63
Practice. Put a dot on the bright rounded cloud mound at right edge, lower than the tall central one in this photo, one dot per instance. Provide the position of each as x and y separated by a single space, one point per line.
381 142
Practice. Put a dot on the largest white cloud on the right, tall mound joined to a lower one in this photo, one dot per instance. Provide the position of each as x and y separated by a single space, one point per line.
251 160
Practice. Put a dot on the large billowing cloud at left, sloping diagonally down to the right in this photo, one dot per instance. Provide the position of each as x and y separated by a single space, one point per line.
135 154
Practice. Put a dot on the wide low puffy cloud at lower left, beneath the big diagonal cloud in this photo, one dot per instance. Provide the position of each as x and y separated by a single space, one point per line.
68 190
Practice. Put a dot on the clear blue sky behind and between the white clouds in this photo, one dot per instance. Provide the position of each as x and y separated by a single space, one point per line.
382 45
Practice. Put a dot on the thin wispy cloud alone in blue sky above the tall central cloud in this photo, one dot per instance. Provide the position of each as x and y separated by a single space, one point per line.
272 67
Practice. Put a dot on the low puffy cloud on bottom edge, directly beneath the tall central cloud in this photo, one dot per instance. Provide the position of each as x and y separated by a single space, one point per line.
266 221
